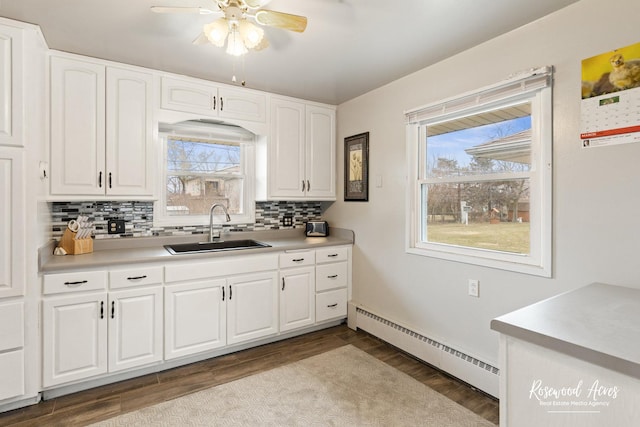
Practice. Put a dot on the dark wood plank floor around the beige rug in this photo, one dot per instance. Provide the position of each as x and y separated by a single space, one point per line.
104 402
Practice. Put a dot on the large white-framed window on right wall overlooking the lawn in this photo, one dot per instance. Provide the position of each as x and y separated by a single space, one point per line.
480 176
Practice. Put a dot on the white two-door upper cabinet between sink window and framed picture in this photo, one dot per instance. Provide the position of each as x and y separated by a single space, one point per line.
302 153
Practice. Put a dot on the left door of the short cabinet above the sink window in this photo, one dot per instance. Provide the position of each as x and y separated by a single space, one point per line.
189 97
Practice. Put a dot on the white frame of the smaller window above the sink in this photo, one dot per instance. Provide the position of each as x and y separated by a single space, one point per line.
248 156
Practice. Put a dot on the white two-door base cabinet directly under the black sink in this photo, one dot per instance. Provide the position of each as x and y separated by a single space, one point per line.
218 303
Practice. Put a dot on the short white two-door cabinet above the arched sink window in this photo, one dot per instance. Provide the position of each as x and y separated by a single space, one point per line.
211 100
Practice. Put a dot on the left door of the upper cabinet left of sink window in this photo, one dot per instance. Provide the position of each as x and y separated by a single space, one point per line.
77 127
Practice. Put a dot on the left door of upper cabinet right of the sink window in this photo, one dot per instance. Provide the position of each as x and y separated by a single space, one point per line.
286 150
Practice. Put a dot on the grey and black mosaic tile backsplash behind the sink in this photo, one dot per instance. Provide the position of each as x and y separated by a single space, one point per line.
138 217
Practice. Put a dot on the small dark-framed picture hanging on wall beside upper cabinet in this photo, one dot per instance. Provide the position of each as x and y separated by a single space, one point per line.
356 168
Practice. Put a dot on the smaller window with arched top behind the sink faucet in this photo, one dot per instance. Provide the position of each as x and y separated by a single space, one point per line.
203 164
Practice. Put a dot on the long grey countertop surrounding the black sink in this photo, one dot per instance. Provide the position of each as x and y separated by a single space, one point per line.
117 252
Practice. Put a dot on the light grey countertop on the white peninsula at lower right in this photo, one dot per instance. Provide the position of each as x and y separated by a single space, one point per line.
597 323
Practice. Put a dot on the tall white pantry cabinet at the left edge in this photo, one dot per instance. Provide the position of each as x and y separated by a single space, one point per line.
22 83
